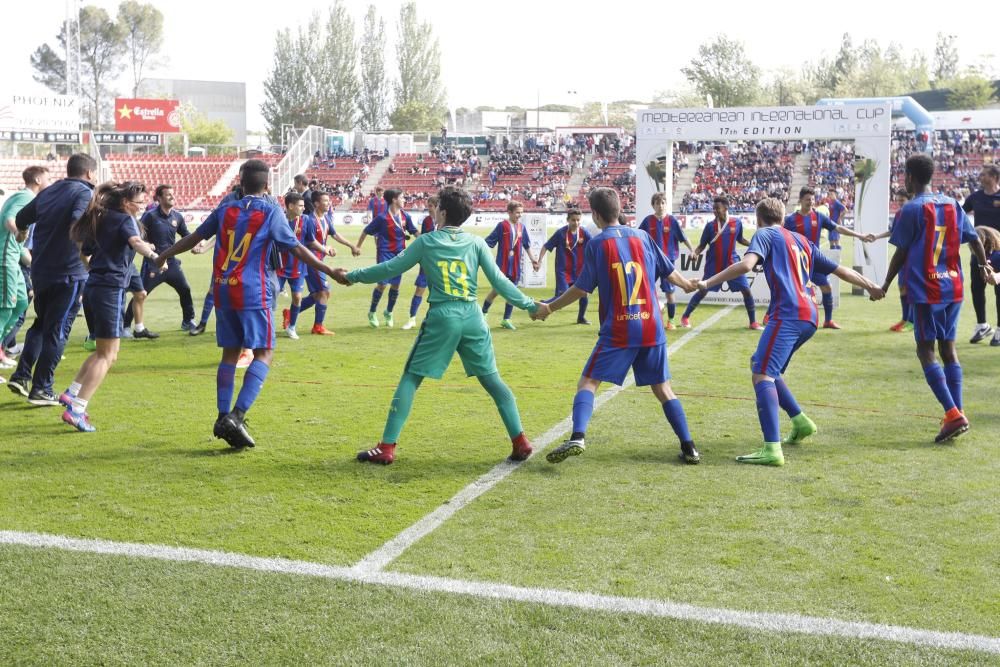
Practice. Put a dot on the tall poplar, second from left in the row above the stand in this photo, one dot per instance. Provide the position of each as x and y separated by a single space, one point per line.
336 82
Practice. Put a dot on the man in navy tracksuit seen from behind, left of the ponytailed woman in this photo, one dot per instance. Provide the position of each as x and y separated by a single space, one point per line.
57 275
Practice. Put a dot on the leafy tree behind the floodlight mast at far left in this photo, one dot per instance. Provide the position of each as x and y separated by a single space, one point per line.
102 52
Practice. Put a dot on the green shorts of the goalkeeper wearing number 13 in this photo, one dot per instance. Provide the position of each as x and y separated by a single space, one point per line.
450 327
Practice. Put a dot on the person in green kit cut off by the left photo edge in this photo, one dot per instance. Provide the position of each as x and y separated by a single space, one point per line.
13 290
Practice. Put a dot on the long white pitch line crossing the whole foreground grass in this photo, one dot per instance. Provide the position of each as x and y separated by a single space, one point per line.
768 622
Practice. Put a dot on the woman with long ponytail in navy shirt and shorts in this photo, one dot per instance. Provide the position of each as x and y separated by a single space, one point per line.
109 235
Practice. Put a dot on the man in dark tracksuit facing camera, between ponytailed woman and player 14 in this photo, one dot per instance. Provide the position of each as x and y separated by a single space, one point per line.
161 226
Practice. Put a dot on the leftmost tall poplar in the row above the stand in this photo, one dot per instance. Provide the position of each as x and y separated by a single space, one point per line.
286 89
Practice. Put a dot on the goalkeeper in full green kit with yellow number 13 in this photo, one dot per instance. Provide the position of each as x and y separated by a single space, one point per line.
451 260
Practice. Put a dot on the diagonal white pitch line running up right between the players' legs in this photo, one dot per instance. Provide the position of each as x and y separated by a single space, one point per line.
391 550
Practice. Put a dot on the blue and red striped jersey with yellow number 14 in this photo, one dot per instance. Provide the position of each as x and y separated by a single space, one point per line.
245 233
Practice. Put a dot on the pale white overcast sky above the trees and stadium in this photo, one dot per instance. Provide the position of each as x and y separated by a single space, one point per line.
518 50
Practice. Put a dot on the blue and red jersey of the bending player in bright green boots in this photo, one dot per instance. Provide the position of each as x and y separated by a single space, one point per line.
790 261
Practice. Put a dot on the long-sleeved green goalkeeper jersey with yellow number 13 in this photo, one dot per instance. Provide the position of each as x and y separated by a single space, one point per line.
450 259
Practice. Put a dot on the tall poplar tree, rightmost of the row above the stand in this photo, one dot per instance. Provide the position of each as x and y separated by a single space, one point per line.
419 57
